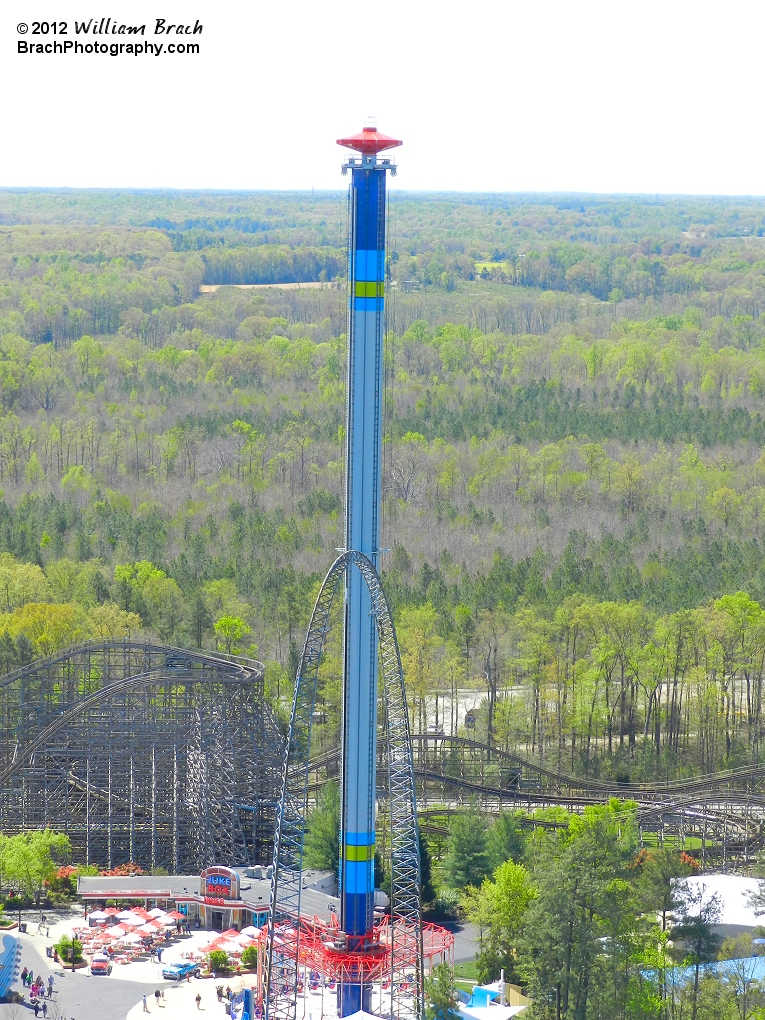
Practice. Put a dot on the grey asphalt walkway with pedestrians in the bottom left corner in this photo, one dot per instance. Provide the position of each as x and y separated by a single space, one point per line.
81 996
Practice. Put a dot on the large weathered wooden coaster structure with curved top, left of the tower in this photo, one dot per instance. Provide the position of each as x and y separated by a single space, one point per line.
141 752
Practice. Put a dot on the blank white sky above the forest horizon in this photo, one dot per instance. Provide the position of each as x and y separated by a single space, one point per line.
539 95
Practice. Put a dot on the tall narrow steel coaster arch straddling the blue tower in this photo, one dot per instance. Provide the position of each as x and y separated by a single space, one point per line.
295 942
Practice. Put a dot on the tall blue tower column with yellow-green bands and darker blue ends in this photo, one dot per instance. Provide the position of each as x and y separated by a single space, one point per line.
364 460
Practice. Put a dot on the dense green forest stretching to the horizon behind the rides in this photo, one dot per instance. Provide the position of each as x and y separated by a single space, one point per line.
575 480
